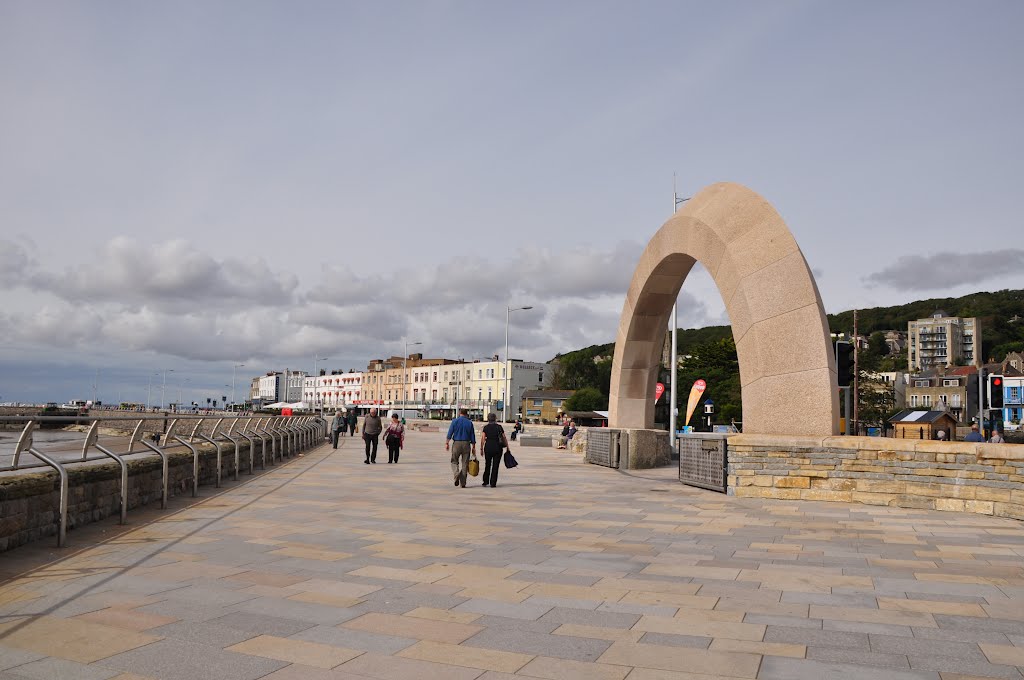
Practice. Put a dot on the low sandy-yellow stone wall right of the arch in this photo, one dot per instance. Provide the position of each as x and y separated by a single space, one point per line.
985 479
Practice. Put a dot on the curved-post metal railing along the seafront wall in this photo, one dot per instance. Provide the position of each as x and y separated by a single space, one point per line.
288 436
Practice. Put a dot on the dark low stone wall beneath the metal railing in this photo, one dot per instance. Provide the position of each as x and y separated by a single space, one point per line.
30 502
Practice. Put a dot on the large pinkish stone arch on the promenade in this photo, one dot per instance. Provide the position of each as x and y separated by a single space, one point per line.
787 367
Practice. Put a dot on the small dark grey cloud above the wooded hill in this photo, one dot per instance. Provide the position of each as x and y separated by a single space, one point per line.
944 271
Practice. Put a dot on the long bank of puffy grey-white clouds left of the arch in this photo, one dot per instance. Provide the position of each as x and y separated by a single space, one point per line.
173 300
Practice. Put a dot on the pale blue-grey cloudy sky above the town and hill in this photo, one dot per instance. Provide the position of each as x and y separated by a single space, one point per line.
190 187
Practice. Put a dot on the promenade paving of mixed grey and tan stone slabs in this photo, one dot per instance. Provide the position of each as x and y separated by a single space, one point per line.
329 569
